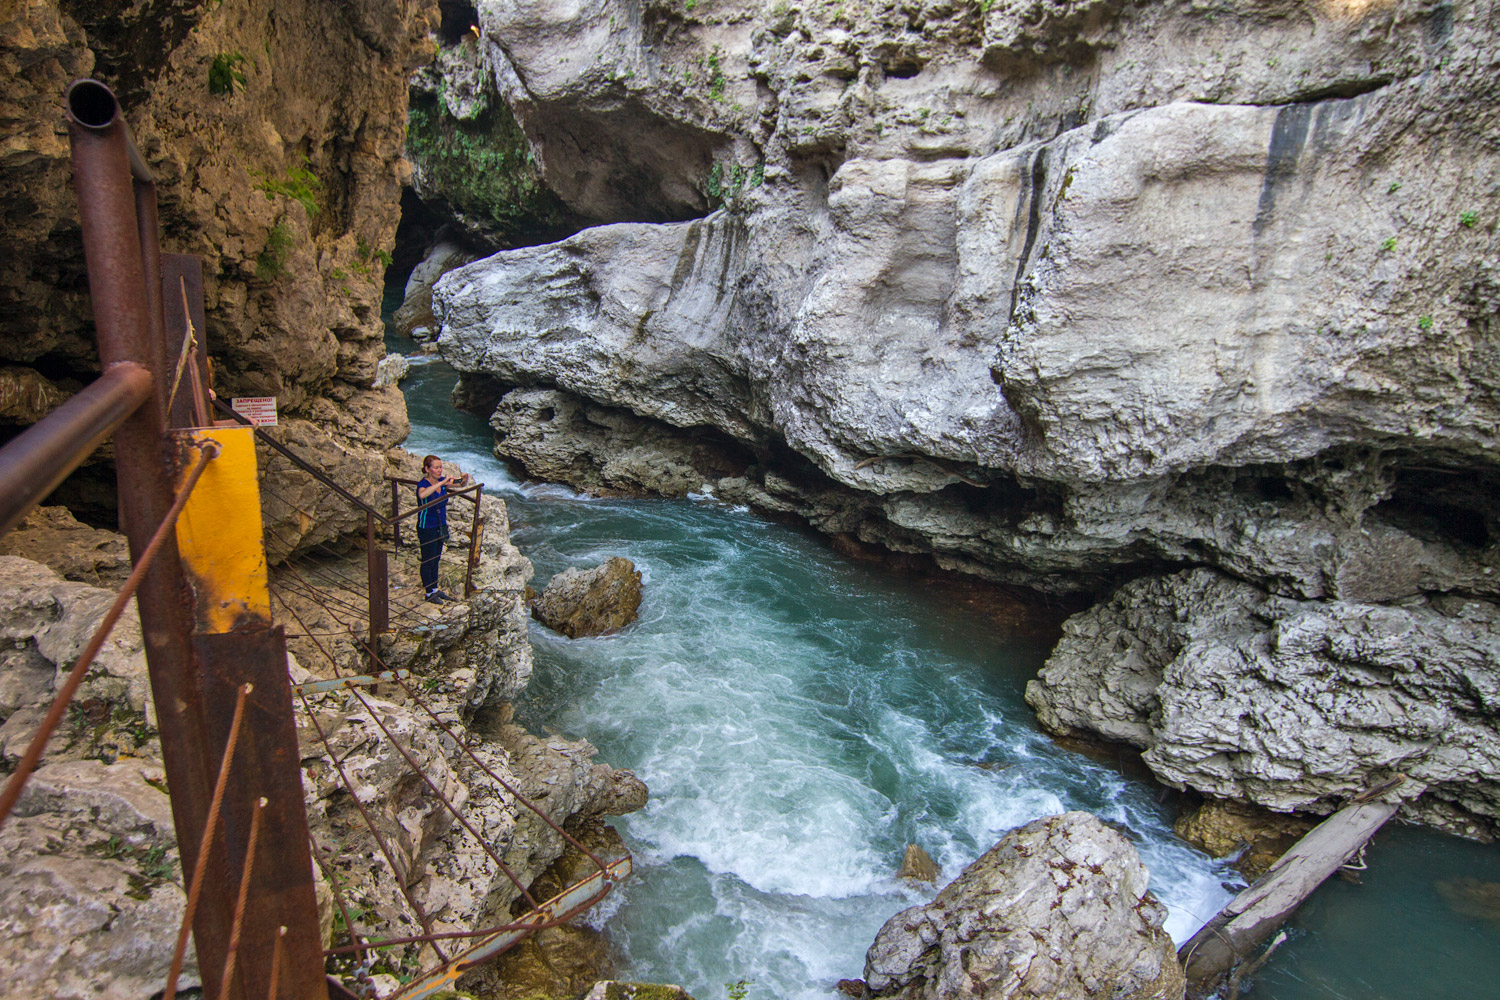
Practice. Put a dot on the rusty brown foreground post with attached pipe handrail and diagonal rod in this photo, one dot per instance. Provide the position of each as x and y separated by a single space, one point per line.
161 470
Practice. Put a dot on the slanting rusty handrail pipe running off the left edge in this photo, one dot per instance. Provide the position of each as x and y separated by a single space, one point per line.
41 457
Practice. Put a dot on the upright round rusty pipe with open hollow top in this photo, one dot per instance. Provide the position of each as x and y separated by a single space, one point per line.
104 164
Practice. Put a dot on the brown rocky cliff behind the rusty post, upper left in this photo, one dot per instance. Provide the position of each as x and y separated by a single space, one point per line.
277 134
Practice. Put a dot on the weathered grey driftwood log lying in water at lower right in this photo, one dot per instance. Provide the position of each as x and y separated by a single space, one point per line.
1259 911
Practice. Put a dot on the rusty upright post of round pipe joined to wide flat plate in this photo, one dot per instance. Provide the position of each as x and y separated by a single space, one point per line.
196 680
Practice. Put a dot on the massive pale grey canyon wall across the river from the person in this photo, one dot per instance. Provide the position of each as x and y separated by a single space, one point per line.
1058 292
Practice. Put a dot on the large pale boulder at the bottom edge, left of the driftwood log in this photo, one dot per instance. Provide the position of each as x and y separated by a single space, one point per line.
1057 909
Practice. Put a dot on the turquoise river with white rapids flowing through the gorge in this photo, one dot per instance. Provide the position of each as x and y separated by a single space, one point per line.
802 717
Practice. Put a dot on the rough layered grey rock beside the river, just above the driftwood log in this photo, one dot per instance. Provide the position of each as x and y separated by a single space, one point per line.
1294 705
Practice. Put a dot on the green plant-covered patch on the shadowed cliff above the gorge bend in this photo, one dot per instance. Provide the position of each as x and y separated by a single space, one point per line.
485 169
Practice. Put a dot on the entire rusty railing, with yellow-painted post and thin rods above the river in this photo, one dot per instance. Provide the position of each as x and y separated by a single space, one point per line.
220 683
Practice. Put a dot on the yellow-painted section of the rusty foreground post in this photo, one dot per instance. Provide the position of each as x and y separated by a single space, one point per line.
220 533
